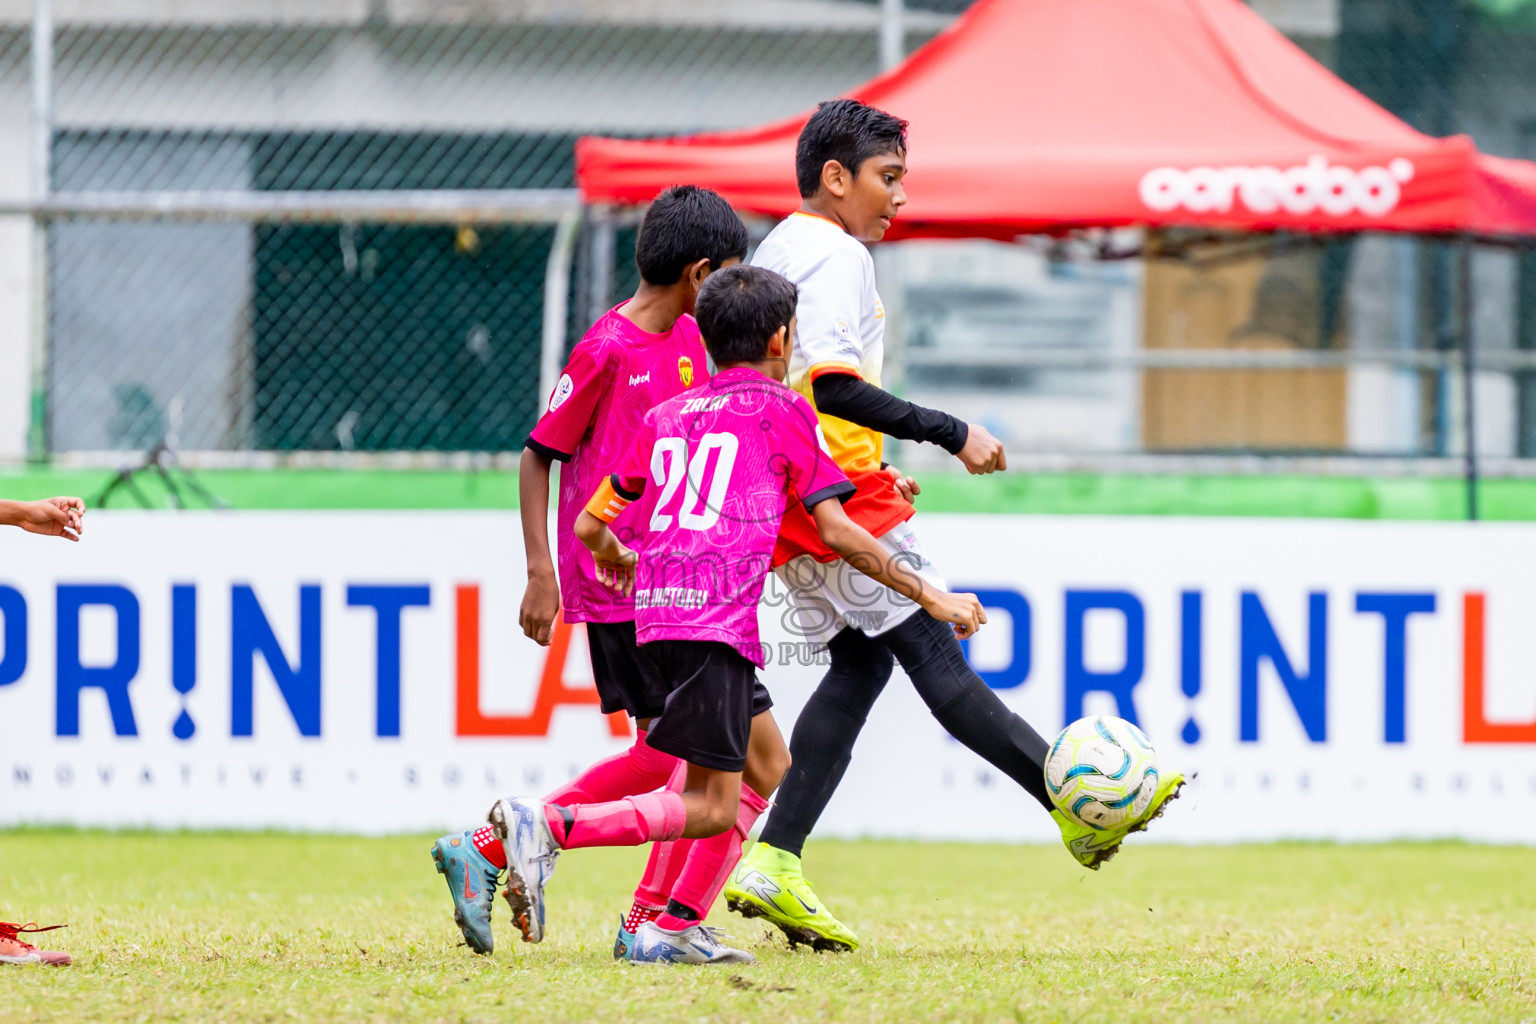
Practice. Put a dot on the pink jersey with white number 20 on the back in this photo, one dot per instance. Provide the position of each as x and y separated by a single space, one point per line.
717 467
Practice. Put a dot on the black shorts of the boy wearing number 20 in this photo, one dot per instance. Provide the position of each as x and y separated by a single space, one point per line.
715 696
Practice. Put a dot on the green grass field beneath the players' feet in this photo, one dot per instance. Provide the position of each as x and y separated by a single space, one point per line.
277 928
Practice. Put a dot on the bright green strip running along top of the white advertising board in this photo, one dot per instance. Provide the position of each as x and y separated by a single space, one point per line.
1045 494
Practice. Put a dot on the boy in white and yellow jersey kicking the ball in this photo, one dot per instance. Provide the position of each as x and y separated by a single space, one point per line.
850 164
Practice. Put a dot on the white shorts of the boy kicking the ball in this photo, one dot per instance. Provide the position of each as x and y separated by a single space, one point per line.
830 596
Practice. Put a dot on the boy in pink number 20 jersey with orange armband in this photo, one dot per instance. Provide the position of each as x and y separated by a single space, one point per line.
717 467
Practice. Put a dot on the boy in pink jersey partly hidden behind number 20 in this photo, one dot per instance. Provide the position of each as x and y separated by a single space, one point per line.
637 355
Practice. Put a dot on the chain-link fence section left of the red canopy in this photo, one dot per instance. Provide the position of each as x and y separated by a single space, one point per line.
242 326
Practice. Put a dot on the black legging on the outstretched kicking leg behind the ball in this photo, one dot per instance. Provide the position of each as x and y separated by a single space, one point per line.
967 707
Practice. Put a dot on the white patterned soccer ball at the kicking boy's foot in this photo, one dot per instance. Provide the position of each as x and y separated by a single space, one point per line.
1102 773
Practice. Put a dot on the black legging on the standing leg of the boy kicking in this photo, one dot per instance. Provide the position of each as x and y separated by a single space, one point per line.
823 742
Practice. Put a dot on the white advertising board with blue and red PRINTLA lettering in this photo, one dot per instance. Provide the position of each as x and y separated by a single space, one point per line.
365 672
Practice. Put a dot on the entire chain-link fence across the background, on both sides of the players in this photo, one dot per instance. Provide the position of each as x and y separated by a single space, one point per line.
219 280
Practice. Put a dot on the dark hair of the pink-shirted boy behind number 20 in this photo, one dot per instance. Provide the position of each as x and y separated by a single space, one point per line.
683 226
